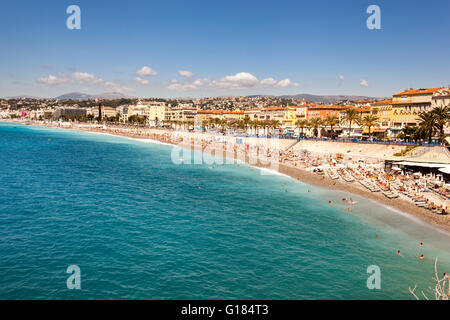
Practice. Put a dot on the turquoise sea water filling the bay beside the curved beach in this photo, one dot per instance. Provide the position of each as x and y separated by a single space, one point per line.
139 227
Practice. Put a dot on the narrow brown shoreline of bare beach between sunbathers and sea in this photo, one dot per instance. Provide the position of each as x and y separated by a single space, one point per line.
305 176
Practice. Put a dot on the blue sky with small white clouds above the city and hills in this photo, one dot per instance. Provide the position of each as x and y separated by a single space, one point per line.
227 47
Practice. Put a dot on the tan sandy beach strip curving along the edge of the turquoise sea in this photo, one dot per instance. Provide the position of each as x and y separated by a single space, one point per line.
303 175
